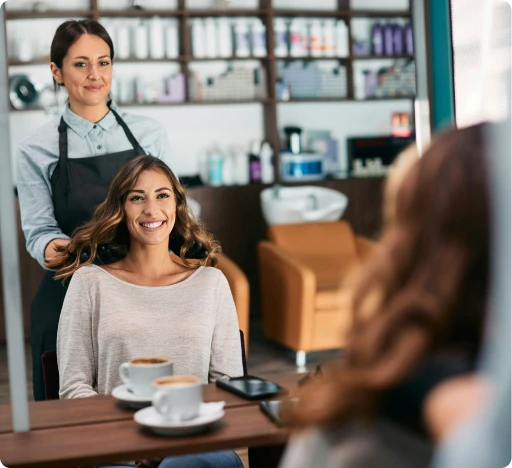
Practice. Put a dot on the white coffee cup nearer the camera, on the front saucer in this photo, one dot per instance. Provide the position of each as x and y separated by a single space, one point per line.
178 398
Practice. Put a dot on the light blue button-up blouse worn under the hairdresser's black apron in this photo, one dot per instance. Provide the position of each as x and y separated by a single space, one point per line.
39 154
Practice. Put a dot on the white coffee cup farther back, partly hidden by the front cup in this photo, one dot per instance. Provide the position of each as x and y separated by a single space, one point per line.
139 374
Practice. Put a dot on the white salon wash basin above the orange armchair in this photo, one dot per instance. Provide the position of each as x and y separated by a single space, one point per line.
304 204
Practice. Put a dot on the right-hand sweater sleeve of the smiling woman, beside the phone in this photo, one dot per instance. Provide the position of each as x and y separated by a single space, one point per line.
226 353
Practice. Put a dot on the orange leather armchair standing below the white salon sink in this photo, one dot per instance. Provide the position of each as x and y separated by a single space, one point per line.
303 272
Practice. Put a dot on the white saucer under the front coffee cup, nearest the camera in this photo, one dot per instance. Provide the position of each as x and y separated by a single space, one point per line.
209 413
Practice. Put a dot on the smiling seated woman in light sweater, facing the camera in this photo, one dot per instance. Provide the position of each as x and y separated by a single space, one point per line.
144 303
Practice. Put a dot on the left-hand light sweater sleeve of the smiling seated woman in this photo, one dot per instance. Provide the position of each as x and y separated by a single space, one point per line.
75 348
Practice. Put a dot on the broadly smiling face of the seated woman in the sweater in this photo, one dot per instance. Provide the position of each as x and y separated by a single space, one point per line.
150 208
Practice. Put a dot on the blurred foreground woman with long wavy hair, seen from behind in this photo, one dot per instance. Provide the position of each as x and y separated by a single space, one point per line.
419 309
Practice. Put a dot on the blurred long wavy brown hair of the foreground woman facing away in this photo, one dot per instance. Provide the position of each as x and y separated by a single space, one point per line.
425 288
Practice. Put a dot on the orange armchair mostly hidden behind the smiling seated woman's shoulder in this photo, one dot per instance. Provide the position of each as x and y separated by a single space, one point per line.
239 286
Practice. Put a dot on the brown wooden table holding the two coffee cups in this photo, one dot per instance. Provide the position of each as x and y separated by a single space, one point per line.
97 430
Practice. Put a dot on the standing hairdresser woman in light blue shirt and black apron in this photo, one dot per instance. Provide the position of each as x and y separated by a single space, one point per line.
65 168
